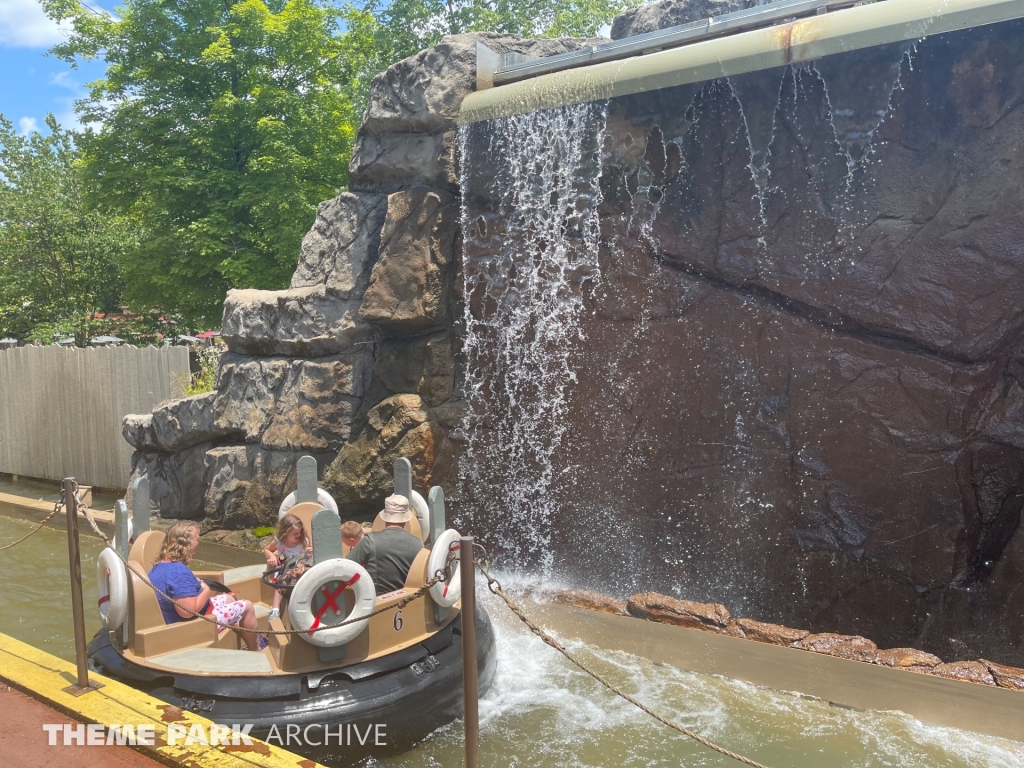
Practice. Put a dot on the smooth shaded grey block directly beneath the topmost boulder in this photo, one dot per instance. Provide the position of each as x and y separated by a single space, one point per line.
390 161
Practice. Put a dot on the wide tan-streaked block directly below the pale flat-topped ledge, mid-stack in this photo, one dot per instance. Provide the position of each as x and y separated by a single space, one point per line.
291 405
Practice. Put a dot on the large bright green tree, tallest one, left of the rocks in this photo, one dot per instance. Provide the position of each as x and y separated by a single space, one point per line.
222 126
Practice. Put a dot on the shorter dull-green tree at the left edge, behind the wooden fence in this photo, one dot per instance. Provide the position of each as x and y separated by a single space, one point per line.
58 259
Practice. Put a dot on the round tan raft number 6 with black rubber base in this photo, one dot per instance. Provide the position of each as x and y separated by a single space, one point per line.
397 675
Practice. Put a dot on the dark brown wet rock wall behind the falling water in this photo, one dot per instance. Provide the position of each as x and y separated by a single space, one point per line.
798 375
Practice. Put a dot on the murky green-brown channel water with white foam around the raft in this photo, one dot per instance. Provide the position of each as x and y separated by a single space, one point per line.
542 712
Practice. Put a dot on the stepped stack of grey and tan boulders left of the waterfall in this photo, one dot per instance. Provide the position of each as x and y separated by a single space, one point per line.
355 363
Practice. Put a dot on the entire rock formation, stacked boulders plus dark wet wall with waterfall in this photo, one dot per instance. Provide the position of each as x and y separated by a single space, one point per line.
757 342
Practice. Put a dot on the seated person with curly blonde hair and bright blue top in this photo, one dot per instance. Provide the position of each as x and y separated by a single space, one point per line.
172 576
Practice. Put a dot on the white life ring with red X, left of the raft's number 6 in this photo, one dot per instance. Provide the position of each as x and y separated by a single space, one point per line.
313 583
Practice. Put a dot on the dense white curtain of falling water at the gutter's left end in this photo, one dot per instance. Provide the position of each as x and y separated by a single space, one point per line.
532 260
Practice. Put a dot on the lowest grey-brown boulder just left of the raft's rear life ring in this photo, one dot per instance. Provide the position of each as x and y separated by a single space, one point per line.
247 484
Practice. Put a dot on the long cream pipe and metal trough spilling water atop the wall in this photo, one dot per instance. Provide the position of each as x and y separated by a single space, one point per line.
716 49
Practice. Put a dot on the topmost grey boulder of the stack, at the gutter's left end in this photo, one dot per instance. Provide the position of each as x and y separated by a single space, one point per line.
424 94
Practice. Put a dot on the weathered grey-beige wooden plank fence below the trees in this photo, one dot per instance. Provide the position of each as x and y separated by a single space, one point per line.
61 409
